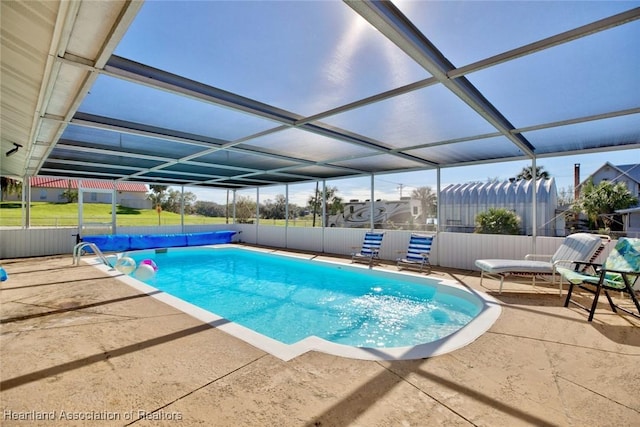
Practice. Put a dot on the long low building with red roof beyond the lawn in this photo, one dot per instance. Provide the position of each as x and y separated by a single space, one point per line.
128 194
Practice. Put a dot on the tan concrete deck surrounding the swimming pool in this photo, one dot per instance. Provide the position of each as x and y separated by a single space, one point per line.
79 347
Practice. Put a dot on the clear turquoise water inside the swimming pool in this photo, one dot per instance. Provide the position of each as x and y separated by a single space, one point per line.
290 299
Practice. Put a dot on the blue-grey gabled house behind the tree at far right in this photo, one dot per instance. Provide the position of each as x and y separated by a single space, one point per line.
629 220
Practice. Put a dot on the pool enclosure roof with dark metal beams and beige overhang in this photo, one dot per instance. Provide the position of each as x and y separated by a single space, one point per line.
53 53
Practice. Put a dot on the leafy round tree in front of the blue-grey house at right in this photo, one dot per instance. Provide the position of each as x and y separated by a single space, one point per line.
599 202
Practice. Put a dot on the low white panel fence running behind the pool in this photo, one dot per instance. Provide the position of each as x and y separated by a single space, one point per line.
454 250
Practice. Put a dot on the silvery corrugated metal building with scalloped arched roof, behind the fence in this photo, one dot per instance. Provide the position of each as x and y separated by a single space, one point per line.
461 203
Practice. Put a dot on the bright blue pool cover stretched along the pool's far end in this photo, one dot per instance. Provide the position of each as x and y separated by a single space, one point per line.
125 242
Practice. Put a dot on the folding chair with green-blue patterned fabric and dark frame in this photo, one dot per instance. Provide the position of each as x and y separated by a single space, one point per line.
619 272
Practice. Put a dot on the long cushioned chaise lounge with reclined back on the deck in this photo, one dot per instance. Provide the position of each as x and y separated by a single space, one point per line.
576 247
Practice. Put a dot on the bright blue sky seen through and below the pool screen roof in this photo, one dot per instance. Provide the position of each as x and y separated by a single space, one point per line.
317 55
